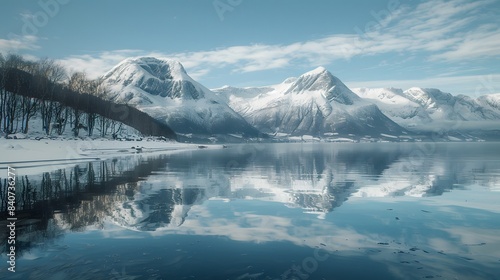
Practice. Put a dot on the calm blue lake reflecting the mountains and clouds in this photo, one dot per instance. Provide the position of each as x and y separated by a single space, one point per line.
265 211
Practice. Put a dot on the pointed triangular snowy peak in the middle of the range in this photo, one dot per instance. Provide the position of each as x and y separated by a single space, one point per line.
316 103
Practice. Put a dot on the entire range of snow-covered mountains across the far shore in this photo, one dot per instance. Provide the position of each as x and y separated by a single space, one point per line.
316 104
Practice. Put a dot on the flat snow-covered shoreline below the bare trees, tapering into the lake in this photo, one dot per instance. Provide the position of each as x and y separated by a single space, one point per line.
30 156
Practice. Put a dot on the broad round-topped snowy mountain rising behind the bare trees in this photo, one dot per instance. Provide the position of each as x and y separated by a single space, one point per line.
164 90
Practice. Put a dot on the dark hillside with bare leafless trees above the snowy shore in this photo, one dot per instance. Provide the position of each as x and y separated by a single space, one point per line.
44 90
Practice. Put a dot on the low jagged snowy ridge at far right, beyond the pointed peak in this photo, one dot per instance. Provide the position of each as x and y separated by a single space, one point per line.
427 108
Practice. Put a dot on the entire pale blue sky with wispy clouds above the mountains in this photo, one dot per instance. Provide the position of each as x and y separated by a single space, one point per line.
451 45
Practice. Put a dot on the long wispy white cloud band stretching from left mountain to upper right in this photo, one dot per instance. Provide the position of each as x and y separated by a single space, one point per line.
438 30
